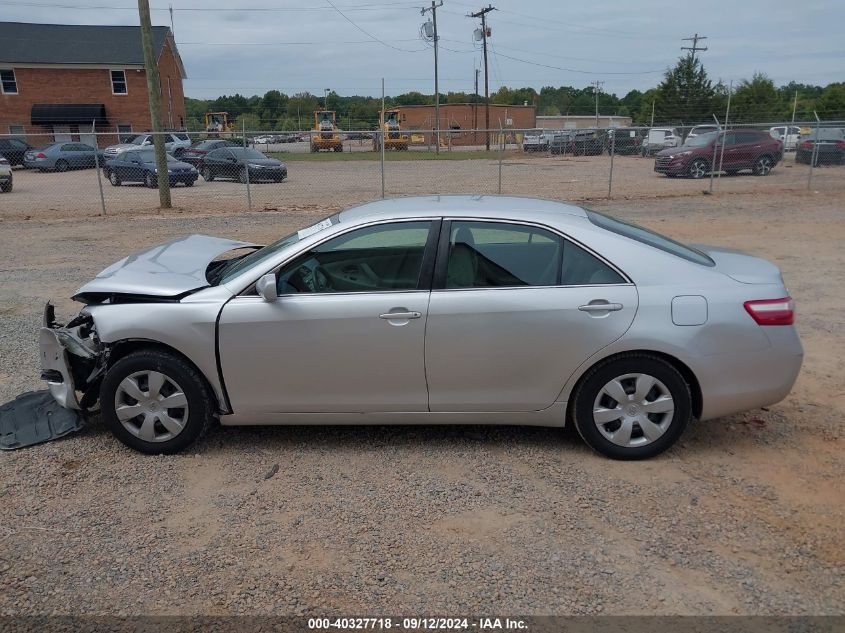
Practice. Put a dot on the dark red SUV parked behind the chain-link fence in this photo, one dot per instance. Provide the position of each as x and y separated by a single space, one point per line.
753 150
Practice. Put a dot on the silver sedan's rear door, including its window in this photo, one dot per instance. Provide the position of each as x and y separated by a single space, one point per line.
515 310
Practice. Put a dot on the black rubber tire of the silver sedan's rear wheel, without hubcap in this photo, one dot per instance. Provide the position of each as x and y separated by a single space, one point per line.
591 385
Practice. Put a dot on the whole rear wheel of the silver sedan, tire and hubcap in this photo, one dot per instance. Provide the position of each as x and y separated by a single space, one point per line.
632 407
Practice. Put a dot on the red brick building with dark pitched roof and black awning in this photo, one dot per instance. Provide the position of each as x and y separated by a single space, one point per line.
56 80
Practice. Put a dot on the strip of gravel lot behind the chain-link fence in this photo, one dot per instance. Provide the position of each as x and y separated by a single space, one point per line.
345 182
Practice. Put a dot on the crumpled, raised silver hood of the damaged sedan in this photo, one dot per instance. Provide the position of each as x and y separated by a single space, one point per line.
167 270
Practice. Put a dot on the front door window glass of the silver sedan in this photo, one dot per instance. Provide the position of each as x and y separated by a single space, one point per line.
384 257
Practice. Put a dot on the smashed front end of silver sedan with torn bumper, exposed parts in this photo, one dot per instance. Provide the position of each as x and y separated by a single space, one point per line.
73 360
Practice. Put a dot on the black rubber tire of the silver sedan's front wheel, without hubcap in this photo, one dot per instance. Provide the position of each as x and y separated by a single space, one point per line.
200 405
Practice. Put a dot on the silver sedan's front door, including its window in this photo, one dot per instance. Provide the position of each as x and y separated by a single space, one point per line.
347 333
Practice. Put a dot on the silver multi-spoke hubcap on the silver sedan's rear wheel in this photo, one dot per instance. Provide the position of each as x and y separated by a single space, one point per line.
633 410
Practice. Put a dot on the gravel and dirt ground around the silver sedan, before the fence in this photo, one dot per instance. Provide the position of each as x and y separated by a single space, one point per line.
743 516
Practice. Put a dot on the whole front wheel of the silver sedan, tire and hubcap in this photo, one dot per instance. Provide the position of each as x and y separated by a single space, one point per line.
155 402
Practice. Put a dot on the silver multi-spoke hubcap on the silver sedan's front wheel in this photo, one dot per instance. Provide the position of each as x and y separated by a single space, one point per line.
151 406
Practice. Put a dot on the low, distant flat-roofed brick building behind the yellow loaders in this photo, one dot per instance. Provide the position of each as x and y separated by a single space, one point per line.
459 117
